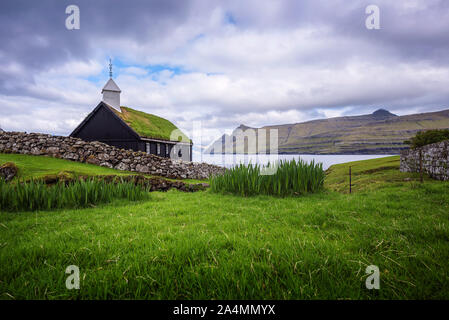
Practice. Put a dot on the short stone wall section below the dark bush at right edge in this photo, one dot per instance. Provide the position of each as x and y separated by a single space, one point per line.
435 160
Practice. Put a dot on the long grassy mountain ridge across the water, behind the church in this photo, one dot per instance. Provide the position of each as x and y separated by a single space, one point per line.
381 132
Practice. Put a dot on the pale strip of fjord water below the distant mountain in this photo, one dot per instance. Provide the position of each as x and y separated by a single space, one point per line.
229 160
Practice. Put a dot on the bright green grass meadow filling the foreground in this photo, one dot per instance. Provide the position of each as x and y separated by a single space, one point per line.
212 246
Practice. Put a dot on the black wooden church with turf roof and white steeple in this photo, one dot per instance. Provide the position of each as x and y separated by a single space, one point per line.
127 128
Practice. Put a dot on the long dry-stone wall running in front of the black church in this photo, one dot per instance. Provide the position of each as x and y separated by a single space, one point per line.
103 155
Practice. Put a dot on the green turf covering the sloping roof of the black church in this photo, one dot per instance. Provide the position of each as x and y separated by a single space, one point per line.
148 125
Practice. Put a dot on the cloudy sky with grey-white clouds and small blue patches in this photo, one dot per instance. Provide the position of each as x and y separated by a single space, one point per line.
221 63
